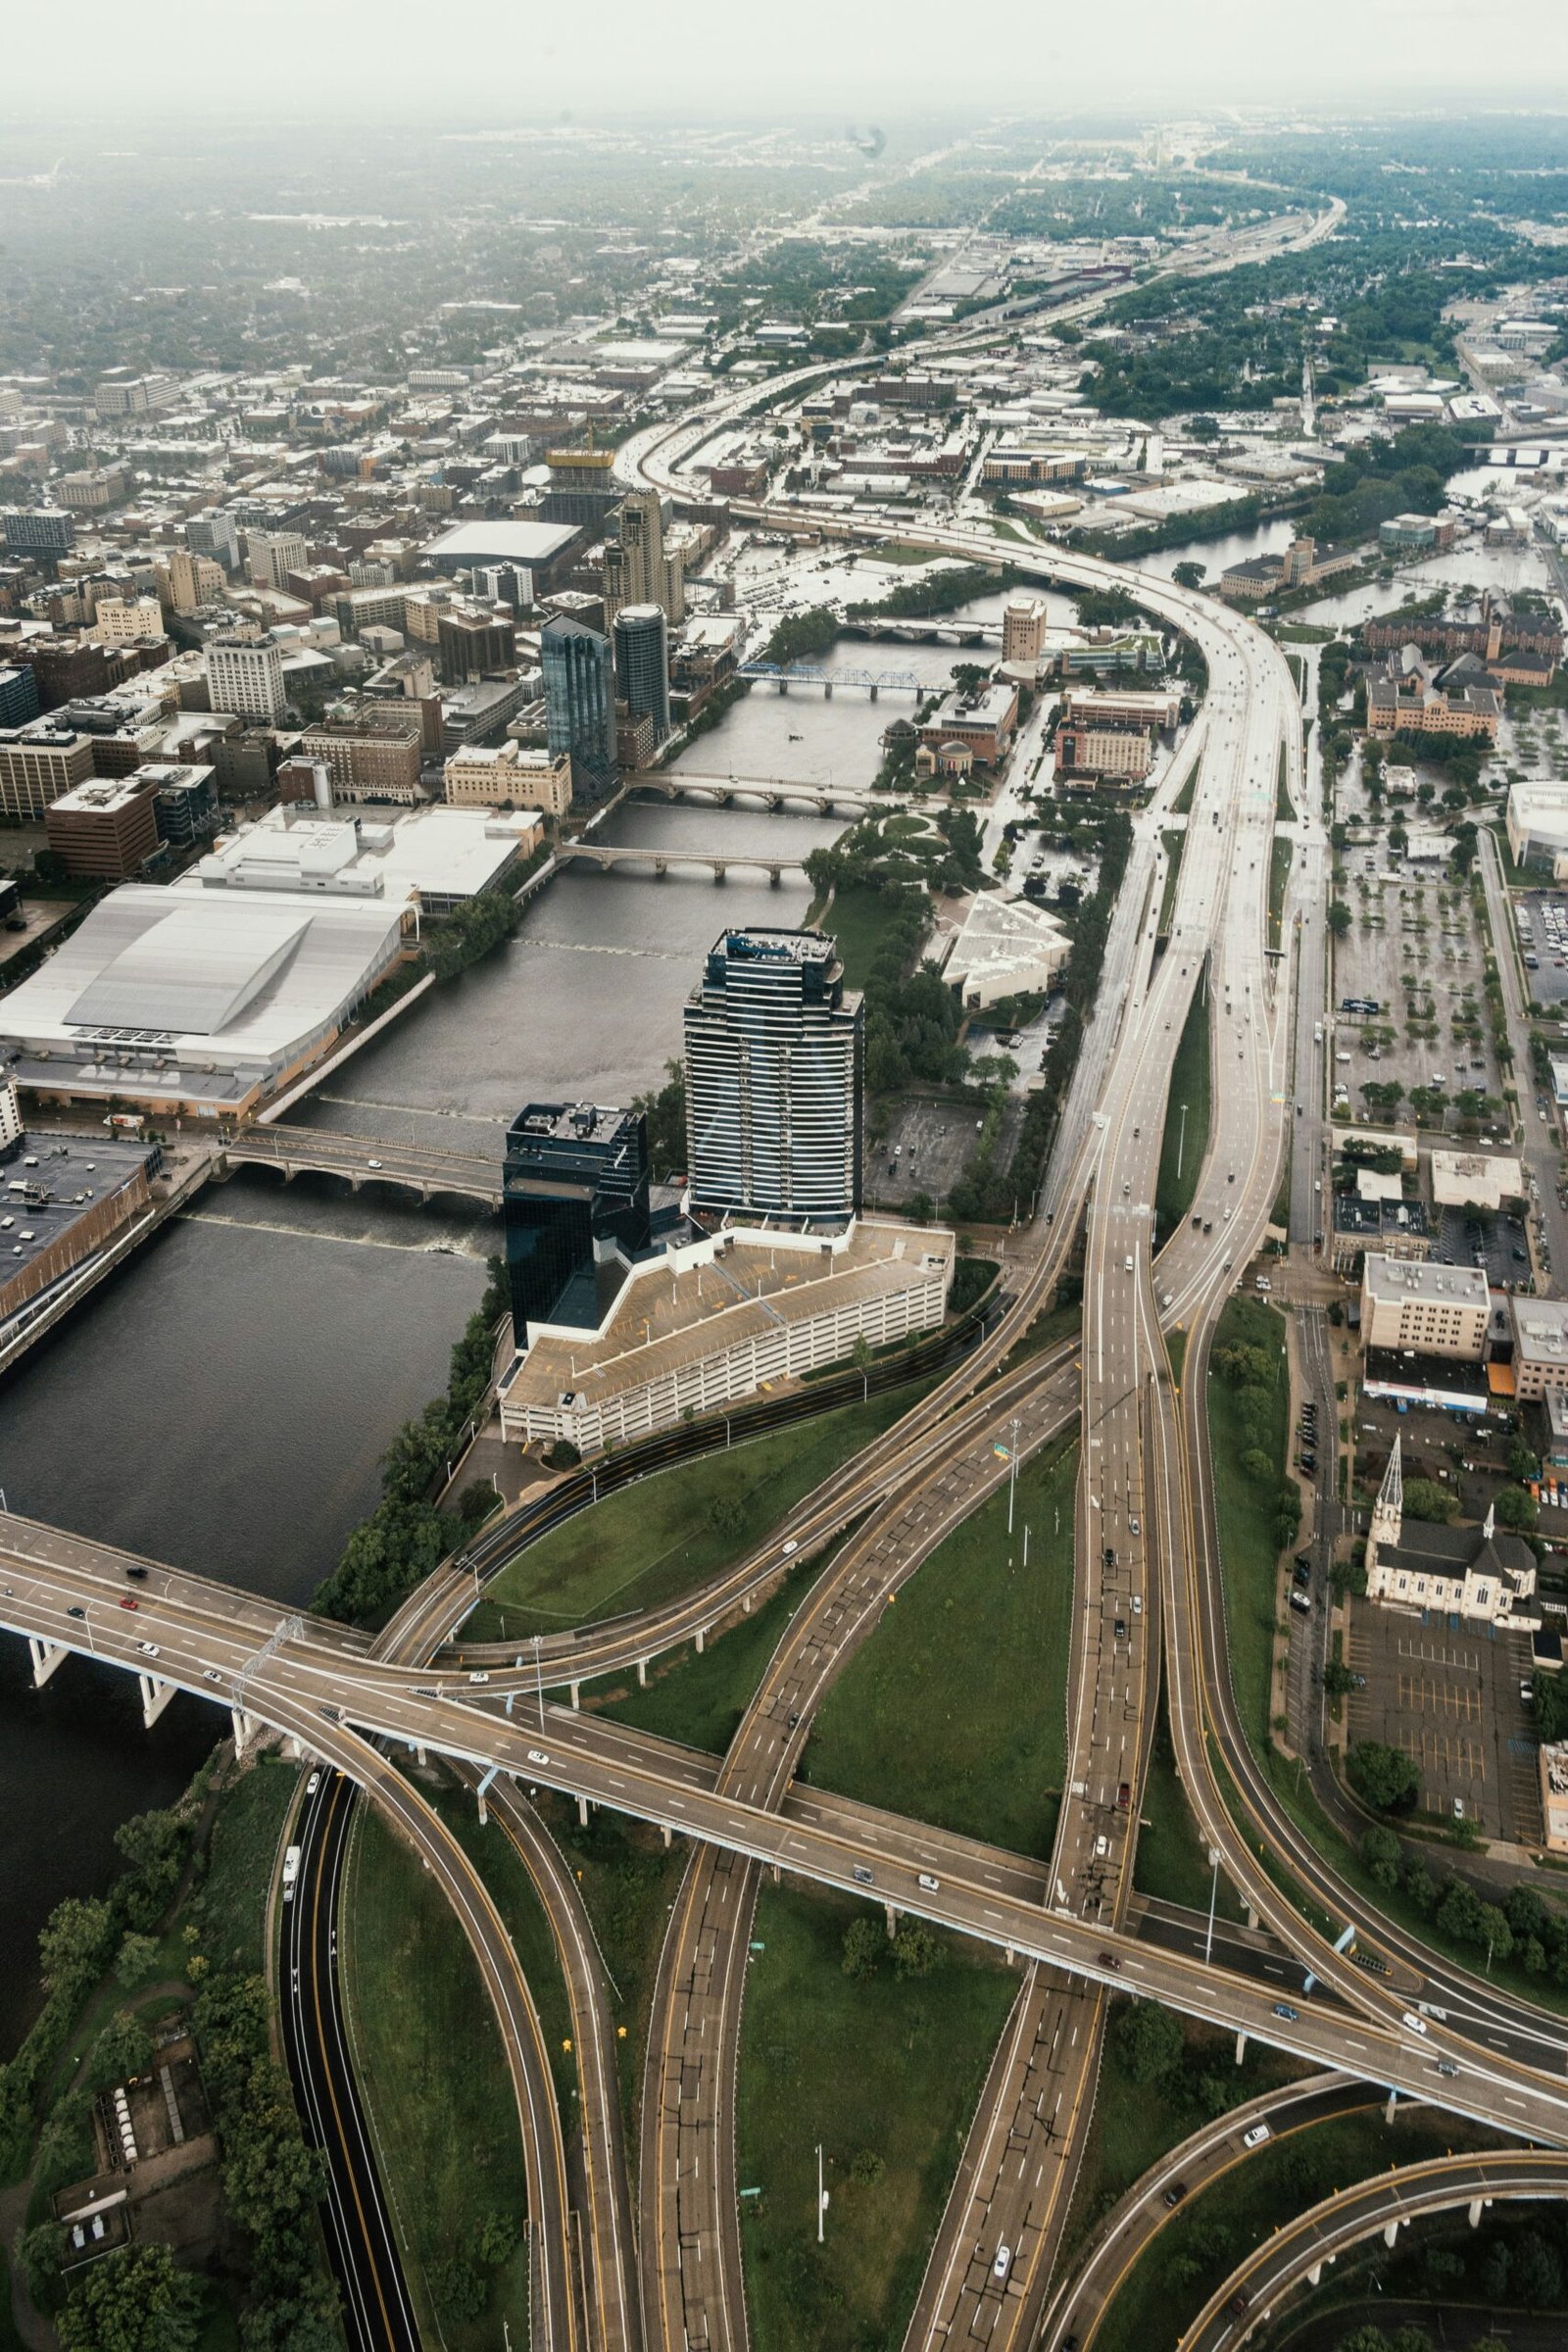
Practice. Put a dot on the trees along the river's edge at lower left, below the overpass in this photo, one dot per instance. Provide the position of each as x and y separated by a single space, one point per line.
76 1946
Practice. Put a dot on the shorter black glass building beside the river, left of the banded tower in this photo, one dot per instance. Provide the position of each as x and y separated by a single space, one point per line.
575 1208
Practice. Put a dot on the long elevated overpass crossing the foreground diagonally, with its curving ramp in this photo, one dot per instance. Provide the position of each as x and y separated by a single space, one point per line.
817 1836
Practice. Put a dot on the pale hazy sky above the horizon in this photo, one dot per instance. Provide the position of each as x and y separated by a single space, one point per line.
518 60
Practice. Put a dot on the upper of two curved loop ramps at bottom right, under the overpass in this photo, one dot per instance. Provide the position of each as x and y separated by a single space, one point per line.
1153 2203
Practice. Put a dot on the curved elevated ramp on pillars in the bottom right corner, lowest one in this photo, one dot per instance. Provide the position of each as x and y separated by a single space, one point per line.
1388 2203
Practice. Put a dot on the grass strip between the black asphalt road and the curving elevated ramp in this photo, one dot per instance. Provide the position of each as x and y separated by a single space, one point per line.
434 2080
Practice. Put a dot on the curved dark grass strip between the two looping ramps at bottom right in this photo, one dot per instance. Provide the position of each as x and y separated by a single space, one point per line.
1221 2224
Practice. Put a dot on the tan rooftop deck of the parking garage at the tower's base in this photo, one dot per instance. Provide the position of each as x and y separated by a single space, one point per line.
669 1321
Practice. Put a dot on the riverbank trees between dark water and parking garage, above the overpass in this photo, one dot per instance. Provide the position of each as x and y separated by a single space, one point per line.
406 1535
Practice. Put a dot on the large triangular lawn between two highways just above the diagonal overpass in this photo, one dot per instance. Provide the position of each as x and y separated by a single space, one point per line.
956 1709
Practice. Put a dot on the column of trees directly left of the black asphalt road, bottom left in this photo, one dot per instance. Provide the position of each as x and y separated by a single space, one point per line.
272 2179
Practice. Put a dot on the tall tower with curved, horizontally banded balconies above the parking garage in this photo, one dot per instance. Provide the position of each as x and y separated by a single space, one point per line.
775 1076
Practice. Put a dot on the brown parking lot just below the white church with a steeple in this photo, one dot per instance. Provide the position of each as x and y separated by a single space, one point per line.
1447 1695
